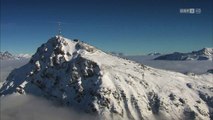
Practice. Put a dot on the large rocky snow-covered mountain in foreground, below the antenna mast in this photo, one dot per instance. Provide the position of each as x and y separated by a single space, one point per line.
79 75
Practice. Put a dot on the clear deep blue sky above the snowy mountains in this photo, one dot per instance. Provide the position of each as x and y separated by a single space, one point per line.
133 27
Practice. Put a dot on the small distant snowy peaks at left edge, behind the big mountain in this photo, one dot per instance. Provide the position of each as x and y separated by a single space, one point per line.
8 56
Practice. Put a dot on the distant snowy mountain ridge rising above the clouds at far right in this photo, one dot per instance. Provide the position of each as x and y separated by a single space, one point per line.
203 54
